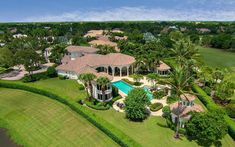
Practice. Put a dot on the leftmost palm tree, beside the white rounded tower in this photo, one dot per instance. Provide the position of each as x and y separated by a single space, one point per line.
86 78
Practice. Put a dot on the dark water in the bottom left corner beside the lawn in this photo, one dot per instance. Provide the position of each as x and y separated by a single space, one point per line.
5 140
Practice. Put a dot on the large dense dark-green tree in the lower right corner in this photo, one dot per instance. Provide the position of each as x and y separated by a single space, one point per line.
207 128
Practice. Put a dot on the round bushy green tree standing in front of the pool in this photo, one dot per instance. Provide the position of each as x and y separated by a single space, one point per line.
136 104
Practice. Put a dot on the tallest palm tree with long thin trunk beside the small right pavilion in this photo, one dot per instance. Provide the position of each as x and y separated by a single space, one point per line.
181 82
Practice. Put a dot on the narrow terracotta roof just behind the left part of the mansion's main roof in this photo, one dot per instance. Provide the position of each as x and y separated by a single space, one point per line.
86 49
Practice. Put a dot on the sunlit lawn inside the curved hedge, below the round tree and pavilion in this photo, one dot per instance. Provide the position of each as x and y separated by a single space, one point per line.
151 132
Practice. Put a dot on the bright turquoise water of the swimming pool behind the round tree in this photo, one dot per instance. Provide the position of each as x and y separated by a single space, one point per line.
126 88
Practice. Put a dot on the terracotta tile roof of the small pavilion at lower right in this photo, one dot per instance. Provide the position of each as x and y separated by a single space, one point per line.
183 111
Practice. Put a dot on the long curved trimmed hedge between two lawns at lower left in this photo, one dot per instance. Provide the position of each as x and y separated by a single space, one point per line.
117 135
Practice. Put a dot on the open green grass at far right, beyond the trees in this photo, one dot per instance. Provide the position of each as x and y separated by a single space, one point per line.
217 58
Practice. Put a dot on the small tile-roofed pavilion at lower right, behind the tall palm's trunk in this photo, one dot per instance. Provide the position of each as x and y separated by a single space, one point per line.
183 109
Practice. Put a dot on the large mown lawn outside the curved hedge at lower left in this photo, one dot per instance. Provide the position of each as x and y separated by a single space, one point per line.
40 121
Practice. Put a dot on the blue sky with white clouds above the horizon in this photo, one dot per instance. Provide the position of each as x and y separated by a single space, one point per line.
115 10
